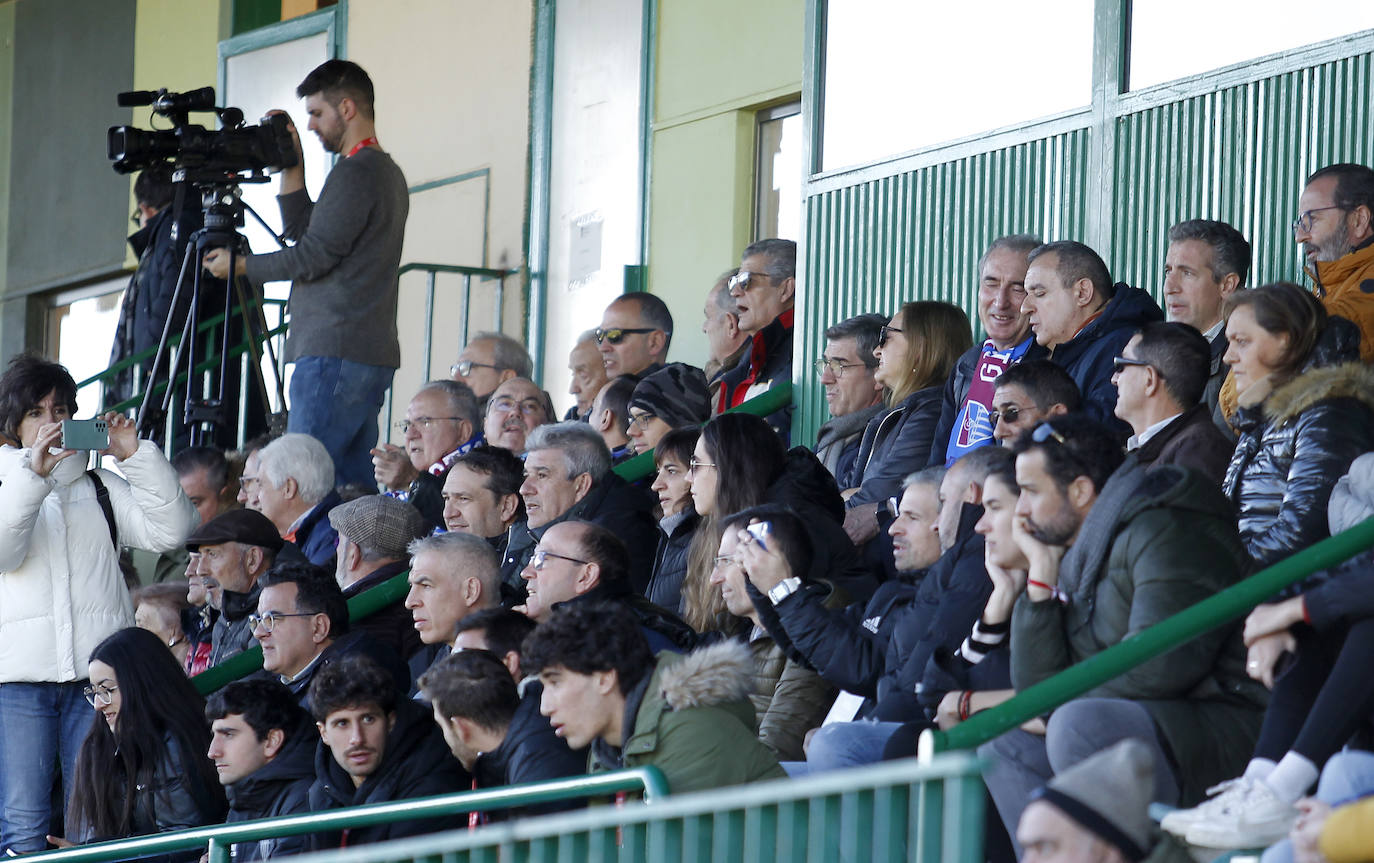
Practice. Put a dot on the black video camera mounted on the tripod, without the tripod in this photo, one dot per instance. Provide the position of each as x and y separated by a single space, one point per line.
232 150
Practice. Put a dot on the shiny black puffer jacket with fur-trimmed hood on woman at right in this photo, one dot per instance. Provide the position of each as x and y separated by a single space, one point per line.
1295 445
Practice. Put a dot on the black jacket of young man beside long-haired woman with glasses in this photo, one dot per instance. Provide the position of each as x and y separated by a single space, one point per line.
282 787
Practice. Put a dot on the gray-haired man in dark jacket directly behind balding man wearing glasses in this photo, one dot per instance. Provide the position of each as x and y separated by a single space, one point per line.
568 476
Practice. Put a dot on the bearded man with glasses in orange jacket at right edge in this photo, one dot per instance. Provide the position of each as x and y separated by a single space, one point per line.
1336 230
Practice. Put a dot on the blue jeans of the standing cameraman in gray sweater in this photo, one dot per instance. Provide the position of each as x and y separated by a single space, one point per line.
337 402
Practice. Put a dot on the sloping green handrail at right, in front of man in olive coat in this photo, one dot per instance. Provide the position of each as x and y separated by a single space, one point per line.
1163 637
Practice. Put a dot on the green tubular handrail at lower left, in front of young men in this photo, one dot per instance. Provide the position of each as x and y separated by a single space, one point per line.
221 838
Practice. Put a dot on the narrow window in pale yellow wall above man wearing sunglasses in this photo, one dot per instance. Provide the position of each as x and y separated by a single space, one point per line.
778 174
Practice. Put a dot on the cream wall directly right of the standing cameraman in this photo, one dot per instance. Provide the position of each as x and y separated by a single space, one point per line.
453 98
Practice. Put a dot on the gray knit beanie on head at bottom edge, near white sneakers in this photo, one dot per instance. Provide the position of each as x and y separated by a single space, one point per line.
1110 796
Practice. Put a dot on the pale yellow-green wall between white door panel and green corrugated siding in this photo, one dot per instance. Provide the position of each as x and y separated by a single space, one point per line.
718 61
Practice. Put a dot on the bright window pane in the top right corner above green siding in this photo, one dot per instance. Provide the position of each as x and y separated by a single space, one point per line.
1174 39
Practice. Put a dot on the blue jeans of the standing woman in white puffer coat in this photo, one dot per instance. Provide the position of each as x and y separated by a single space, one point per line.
42 726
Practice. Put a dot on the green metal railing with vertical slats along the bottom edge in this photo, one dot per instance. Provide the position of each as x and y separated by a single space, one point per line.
898 811
